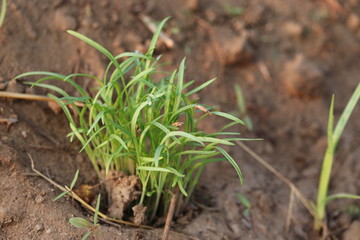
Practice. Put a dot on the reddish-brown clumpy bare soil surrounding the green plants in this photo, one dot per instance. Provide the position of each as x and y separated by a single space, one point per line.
289 58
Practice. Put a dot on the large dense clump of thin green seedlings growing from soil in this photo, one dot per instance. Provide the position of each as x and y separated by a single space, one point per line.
141 126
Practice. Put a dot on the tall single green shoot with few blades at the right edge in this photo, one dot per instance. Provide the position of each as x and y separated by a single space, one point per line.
333 139
